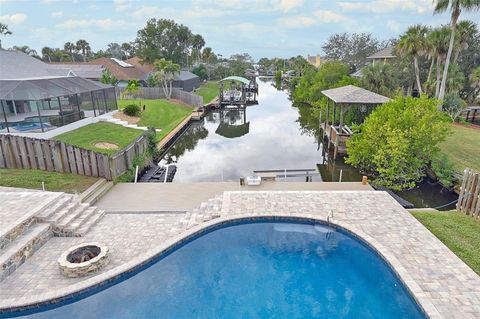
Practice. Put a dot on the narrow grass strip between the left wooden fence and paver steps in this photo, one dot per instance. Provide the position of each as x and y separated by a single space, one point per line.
32 179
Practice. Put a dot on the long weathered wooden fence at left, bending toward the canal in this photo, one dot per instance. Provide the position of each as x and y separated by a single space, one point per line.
55 156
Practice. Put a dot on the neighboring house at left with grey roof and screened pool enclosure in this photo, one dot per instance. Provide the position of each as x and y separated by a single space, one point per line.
36 97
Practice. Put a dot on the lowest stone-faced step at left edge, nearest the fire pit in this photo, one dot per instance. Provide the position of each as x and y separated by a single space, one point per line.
22 248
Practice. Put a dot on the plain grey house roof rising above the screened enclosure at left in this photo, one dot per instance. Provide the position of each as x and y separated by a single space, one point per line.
18 65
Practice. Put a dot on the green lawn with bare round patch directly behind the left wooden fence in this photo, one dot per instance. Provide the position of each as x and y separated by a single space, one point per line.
88 135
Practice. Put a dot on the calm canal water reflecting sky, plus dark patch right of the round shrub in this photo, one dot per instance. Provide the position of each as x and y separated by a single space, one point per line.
231 143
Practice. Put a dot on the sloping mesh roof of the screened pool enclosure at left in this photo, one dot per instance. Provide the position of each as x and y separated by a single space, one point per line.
39 89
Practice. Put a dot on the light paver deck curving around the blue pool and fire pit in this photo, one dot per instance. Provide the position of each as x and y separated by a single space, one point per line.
443 285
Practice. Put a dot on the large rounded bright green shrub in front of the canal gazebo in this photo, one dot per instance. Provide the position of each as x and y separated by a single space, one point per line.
398 140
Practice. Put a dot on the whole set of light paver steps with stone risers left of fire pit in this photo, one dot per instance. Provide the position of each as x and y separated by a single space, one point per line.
65 215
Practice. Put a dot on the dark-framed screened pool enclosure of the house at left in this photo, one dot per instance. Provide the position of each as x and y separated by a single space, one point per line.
40 105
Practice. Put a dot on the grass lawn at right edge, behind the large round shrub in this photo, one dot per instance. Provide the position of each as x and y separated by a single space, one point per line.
462 147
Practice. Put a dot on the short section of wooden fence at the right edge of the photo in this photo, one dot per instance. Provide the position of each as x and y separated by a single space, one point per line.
469 199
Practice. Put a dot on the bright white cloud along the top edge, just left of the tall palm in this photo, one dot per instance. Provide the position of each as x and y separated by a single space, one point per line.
385 6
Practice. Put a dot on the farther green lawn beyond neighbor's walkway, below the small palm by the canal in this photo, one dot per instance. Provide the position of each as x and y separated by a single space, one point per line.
160 114
